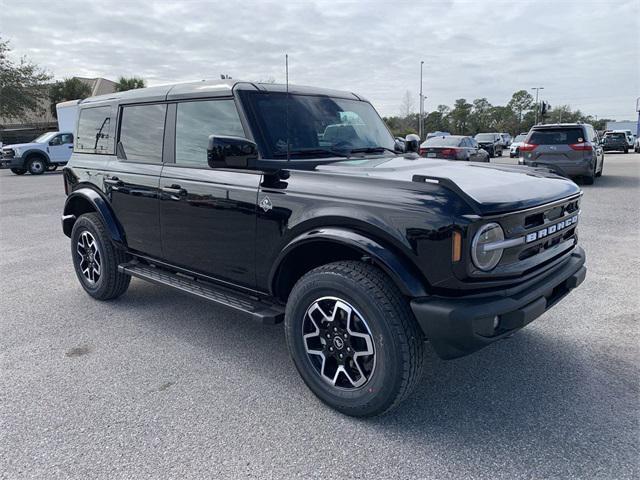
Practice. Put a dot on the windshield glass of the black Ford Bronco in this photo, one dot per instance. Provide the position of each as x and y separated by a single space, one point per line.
318 125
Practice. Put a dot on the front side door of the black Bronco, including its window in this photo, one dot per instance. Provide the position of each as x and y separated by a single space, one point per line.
208 216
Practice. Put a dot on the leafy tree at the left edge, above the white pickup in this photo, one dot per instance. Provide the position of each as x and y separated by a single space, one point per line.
22 85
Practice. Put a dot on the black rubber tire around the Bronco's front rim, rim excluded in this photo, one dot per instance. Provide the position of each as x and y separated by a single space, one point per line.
398 342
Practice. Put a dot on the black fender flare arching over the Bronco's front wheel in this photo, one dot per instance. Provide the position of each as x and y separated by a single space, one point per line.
403 274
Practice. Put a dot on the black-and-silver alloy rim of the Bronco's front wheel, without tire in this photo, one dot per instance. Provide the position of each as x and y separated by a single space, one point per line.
338 343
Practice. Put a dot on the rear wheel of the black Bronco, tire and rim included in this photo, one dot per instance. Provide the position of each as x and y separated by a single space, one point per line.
96 260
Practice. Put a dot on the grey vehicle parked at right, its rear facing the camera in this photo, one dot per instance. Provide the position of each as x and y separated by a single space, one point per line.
571 149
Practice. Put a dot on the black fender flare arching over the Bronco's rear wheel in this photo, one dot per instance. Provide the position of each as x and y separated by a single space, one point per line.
99 204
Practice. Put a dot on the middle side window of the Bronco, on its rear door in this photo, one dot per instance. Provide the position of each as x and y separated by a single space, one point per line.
142 132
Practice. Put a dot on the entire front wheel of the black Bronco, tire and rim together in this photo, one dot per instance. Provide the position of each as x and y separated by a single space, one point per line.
353 338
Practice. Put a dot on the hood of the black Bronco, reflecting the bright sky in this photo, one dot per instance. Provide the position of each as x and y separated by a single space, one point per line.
487 188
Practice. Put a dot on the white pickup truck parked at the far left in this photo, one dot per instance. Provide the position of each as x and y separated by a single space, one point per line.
47 152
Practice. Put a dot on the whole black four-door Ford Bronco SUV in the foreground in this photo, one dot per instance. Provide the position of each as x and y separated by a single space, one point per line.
297 204
